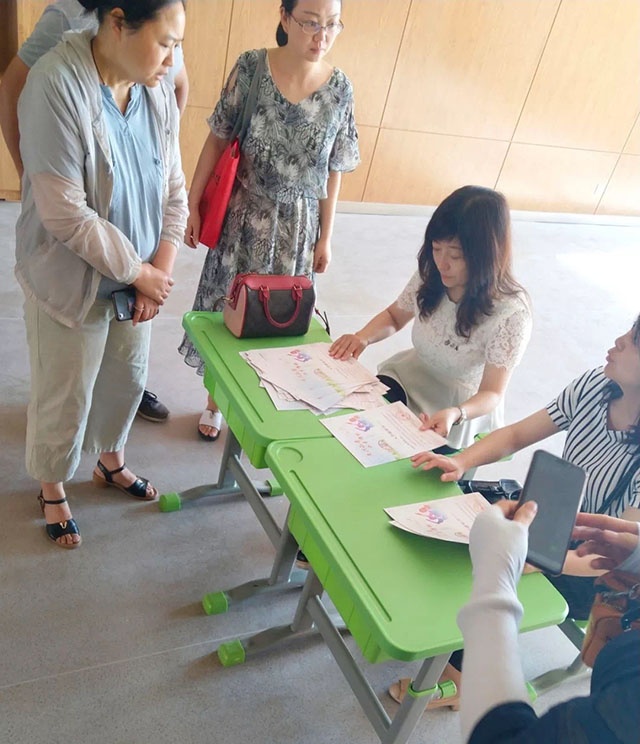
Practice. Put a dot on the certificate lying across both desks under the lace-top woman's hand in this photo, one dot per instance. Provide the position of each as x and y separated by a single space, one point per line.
383 434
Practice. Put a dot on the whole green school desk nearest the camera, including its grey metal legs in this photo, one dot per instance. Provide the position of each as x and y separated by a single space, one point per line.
397 593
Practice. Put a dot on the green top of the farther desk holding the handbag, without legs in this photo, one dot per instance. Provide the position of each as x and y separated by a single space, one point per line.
234 385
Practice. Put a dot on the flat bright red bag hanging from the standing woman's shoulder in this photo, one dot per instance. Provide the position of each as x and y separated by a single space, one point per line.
215 199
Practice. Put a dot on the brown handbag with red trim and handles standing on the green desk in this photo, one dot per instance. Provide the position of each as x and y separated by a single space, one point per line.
263 305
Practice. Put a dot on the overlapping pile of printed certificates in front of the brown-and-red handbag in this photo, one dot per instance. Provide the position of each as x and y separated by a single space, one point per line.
306 377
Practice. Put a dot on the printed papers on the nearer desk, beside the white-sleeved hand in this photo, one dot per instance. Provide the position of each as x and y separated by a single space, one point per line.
445 519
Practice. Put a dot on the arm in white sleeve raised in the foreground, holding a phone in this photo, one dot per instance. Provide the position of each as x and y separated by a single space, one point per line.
489 622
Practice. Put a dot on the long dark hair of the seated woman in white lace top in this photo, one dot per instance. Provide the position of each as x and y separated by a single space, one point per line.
479 219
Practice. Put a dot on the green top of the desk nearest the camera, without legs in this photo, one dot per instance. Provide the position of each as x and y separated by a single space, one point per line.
398 593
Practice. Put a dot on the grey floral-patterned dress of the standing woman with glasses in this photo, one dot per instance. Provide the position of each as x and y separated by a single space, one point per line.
272 222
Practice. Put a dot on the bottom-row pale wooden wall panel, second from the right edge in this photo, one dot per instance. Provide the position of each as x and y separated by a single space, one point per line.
555 179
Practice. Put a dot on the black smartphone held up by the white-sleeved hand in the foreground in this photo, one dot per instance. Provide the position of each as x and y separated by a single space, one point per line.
557 487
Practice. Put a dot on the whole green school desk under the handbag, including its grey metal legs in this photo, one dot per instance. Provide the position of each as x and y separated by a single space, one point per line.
253 423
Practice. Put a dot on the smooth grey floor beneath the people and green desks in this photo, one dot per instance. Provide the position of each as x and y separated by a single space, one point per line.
108 644
